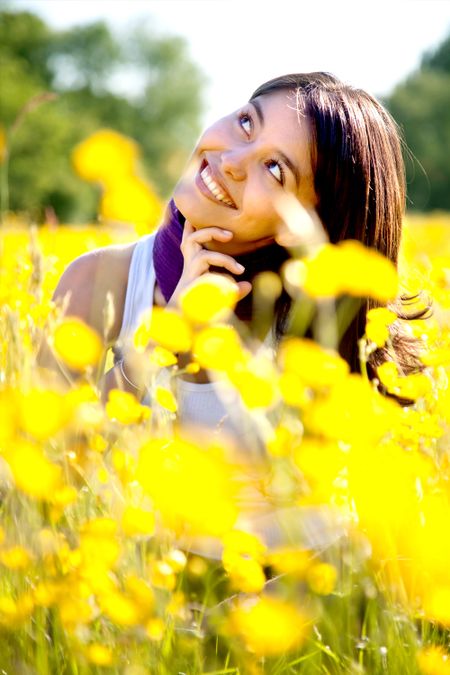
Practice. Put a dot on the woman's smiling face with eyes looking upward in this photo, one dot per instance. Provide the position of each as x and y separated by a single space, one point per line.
241 168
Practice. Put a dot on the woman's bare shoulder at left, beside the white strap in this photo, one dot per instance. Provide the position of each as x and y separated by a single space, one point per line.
88 282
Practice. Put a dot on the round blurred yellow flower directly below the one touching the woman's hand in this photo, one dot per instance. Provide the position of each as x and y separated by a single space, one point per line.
218 347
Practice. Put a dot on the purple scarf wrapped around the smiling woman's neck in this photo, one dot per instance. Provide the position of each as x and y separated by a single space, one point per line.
168 259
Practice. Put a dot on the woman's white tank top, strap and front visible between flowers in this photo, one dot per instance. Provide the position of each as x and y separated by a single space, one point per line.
213 405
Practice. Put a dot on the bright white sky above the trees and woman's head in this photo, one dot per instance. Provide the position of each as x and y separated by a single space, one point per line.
241 43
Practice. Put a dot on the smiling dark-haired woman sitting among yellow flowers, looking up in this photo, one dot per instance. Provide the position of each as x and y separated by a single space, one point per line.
334 148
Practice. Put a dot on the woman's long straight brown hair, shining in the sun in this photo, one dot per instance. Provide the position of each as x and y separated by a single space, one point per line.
359 182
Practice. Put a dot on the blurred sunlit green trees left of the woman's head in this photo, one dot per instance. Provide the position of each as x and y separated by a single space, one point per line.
78 65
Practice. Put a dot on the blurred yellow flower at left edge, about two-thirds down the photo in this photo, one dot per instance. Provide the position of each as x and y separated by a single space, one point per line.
33 473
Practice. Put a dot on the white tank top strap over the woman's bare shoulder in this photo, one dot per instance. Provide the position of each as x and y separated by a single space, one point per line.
140 287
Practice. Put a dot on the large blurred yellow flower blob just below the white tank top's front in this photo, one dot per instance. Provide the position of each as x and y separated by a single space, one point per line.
194 489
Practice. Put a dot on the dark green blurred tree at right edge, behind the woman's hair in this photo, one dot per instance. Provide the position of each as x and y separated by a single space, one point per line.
421 105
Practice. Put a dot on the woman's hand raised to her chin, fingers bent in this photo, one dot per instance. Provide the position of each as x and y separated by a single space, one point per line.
198 260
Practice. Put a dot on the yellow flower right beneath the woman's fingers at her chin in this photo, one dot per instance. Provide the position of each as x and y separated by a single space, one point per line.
211 297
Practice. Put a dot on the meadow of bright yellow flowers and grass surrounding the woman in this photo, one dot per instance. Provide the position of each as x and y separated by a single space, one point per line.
129 547
